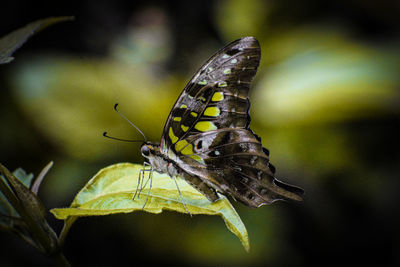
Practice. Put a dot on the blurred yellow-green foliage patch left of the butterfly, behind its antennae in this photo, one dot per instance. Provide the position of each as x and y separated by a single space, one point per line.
78 96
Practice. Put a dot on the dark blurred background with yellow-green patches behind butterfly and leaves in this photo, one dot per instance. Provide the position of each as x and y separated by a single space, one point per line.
340 145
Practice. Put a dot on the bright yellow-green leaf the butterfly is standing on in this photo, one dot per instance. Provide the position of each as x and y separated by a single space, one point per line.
111 191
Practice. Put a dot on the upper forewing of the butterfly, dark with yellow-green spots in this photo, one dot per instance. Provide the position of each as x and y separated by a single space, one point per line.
217 95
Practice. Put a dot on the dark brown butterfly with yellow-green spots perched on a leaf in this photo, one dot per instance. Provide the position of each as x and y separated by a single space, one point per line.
207 140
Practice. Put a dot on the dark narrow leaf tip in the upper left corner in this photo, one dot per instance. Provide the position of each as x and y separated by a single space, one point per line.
15 39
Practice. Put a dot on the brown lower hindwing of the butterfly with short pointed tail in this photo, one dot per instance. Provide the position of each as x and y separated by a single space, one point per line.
237 164
